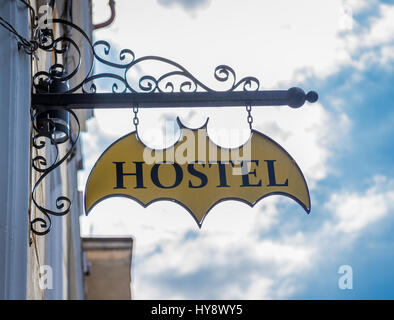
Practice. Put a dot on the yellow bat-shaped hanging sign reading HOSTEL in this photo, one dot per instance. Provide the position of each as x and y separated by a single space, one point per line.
196 173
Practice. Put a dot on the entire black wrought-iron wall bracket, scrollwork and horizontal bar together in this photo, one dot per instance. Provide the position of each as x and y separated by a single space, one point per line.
130 84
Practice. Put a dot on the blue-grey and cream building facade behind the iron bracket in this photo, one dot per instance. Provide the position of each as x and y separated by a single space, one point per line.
37 266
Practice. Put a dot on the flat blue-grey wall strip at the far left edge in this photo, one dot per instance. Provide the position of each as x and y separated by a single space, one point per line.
14 154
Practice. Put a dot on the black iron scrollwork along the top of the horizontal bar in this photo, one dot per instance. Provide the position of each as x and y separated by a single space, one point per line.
146 83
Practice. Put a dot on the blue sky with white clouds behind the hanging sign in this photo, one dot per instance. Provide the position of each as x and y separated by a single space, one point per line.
344 50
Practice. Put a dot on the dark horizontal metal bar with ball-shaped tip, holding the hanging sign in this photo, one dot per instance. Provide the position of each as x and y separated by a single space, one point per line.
294 97
